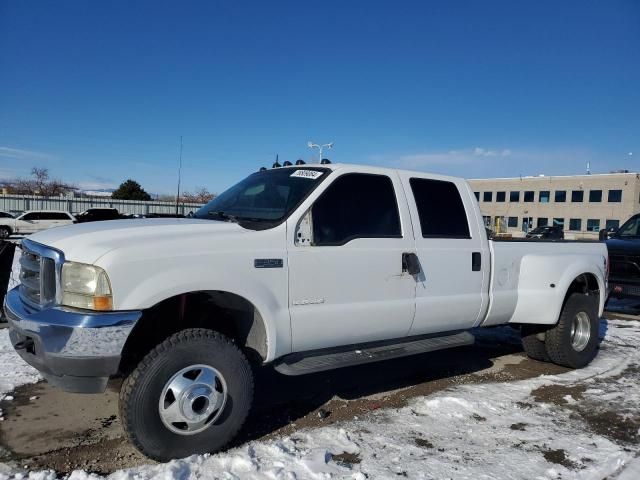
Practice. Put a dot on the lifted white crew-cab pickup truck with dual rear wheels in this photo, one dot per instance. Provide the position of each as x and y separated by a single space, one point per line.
305 267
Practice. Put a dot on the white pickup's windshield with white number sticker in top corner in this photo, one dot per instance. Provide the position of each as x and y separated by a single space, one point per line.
264 198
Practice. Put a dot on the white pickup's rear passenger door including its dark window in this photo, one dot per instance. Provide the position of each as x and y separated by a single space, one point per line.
450 291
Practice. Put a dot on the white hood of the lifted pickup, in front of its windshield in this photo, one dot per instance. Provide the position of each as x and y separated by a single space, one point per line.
87 242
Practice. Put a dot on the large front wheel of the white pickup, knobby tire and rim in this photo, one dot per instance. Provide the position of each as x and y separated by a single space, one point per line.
190 394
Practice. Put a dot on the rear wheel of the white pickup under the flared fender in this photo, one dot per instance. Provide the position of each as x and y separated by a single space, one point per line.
573 342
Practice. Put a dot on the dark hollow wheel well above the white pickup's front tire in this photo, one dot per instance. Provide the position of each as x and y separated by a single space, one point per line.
225 312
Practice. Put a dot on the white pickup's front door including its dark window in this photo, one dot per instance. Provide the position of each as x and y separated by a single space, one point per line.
346 278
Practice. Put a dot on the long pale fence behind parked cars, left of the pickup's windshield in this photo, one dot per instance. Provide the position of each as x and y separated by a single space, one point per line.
20 203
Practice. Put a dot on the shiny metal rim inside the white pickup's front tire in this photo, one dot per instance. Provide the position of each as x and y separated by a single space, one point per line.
193 399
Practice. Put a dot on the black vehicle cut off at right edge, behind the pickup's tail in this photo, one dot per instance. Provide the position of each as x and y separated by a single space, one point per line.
624 254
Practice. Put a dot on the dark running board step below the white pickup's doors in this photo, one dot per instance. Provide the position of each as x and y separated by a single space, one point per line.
301 363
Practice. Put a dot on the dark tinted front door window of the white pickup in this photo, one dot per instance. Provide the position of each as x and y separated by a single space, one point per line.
356 206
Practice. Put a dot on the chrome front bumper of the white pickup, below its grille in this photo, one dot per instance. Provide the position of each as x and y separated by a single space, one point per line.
75 350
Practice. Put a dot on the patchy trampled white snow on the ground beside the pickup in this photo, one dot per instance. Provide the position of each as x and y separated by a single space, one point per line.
479 431
